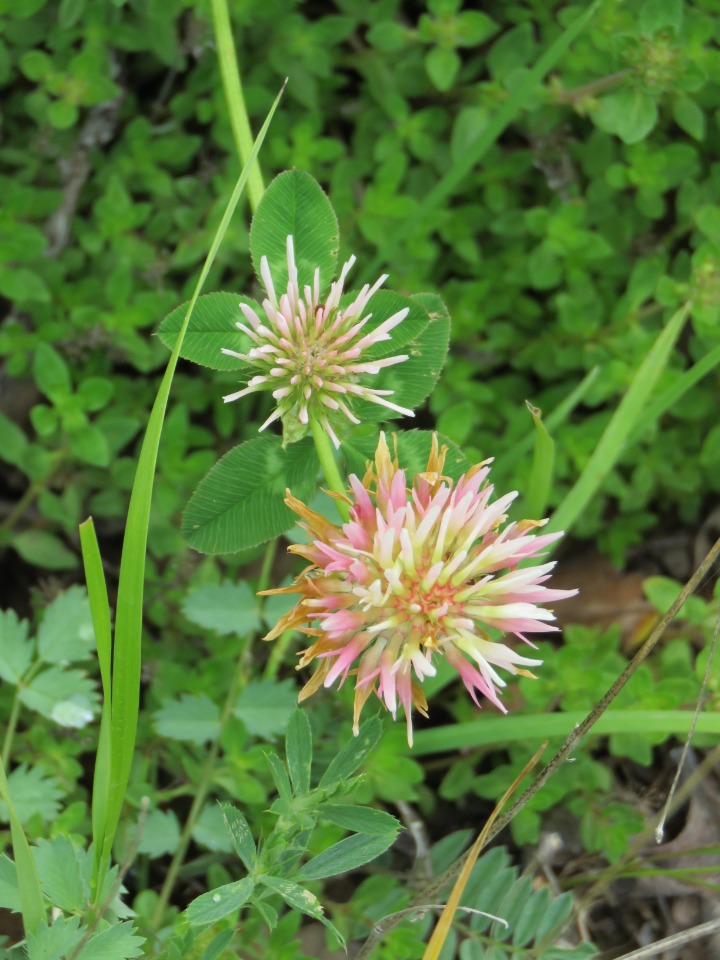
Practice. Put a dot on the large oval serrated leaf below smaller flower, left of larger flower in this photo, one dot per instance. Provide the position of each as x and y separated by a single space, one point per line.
239 504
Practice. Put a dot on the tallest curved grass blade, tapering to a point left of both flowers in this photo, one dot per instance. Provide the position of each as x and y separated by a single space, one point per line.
128 626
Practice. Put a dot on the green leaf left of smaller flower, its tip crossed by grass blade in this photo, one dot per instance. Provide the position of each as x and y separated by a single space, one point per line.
212 326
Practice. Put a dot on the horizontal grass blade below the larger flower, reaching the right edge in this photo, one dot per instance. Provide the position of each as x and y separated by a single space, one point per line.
533 728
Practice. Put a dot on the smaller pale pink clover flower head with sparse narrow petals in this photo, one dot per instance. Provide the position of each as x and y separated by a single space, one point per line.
312 355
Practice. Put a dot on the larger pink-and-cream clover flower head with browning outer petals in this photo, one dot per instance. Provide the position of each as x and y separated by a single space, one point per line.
418 573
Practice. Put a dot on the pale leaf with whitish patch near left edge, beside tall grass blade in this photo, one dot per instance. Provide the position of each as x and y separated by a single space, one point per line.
67 697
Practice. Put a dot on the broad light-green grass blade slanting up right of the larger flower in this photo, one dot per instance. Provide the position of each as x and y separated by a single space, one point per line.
630 413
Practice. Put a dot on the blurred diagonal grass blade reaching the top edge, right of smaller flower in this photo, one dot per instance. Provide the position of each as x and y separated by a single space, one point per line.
476 151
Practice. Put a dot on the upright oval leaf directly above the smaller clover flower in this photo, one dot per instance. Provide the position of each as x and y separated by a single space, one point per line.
295 205
